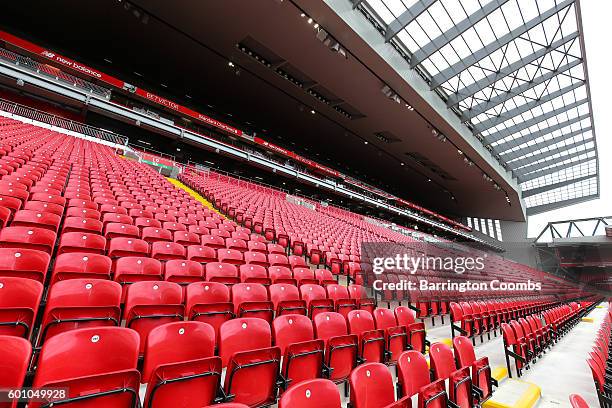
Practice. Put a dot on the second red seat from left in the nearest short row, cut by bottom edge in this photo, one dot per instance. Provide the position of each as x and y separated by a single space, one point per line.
371 386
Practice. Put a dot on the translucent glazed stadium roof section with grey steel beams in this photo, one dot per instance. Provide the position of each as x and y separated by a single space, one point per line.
515 72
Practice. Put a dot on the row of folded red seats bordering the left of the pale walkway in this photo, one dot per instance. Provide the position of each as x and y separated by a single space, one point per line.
526 339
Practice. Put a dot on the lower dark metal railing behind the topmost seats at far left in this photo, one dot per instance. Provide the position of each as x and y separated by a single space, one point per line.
57 121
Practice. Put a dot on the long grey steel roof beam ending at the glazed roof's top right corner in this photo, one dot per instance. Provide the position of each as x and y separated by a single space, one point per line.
488 49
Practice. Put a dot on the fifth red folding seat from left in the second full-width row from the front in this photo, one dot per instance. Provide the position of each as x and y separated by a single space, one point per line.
251 300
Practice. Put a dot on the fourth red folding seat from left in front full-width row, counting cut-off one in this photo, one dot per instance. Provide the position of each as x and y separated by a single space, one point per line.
244 347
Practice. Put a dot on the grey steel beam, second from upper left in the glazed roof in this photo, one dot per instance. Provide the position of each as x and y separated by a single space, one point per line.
455 31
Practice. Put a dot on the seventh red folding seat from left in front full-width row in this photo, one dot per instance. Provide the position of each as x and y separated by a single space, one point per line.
371 341
